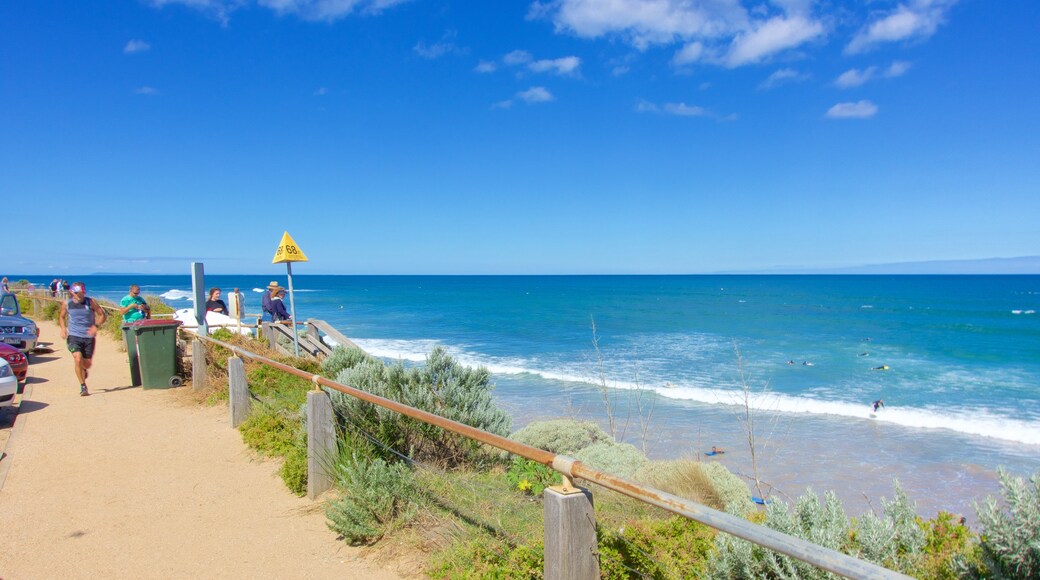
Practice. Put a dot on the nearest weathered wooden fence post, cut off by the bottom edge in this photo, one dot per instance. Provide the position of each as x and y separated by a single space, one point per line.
571 552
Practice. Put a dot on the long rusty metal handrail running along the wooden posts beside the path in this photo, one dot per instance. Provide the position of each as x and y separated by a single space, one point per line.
820 557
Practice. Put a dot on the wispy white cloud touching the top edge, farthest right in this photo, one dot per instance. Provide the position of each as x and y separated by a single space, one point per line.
918 19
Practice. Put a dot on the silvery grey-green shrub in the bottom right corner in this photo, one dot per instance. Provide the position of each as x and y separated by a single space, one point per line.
1010 542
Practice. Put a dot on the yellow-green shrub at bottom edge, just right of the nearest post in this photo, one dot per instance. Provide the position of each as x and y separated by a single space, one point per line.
675 547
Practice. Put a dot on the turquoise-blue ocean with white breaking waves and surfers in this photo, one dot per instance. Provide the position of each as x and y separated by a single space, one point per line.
957 360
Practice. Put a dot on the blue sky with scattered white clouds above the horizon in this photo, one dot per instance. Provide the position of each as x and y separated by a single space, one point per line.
568 137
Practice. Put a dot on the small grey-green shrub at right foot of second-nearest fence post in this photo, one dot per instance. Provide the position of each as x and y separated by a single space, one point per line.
377 497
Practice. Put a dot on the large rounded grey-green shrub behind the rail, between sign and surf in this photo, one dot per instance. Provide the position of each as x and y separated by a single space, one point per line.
443 387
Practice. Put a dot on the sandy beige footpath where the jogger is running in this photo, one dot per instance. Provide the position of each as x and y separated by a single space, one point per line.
138 484
